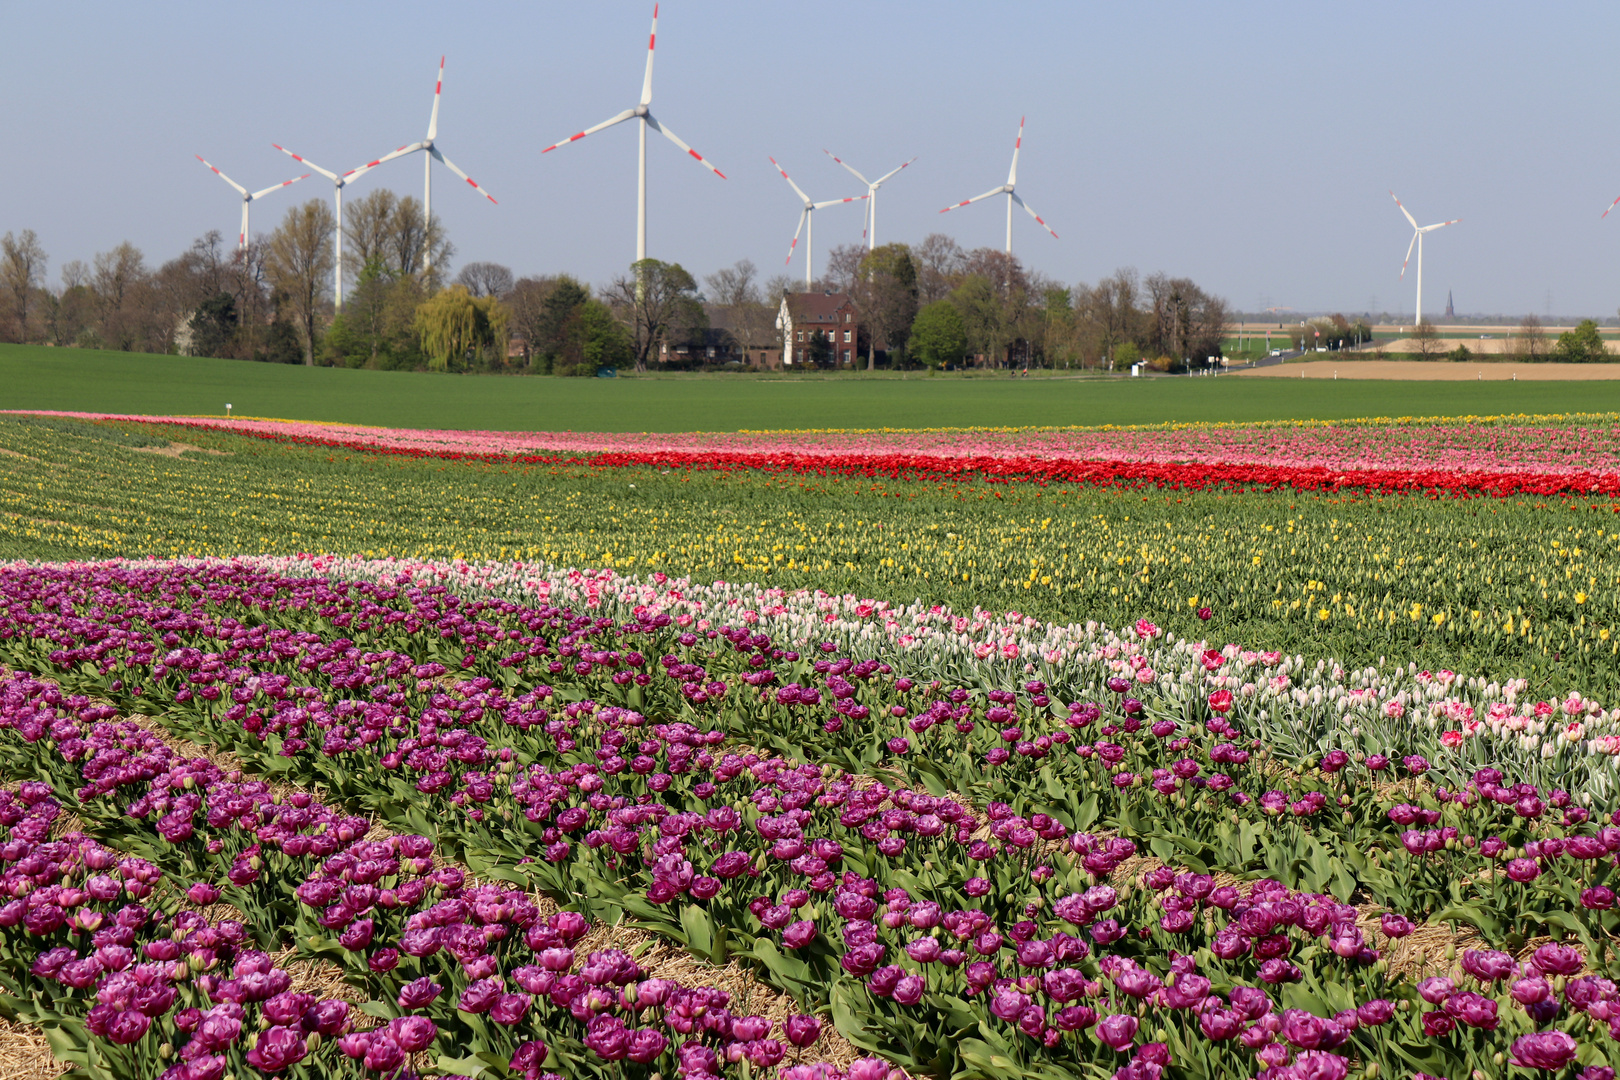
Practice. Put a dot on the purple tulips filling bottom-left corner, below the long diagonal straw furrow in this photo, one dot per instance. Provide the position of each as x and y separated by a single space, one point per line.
453 976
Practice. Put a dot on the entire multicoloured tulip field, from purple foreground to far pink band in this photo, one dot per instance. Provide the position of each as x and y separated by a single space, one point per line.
1213 752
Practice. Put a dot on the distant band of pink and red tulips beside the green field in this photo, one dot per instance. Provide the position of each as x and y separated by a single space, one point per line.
1457 459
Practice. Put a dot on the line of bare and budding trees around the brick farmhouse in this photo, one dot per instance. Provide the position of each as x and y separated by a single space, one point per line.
921 305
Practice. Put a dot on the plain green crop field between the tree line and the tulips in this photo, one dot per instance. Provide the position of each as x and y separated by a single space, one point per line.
36 378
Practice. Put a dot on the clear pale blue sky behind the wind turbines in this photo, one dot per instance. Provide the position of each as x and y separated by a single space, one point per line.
1248 147
